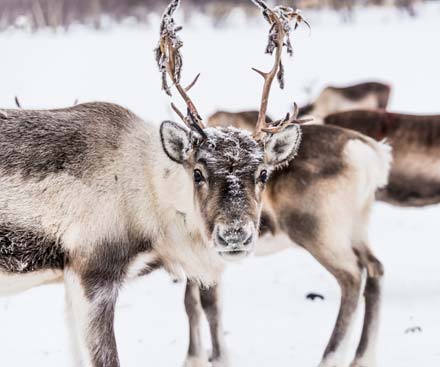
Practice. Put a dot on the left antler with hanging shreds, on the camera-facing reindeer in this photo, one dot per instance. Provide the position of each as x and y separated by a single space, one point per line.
169 60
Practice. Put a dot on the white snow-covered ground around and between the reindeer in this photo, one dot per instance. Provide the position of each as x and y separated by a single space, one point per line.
268 320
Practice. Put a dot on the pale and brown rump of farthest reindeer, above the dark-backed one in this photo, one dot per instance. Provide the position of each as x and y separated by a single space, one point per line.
370 95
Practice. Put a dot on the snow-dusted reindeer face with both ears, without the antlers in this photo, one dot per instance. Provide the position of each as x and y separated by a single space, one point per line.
229 170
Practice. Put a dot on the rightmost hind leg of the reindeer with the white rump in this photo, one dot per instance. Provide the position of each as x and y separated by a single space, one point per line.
366 351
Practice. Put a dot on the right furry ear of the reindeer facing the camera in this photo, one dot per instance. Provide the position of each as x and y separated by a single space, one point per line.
283 146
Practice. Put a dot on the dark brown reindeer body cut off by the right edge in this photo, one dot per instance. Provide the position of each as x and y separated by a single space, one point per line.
415 174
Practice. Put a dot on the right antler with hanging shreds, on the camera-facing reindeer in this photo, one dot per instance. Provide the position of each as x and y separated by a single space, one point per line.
279 36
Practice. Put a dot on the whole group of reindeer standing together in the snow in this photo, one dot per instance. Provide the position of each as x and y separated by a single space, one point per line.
93 196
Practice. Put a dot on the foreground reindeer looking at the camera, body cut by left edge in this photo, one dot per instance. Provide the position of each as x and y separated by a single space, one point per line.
93 196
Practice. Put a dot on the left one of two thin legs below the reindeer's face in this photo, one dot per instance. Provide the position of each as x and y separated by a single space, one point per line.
196 356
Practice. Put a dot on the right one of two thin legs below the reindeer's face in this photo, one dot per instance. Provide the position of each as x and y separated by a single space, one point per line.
211 303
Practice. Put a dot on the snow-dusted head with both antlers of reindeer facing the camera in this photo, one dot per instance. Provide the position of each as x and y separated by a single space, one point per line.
229 167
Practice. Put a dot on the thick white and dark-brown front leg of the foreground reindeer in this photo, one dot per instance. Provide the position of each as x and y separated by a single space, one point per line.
92 305
